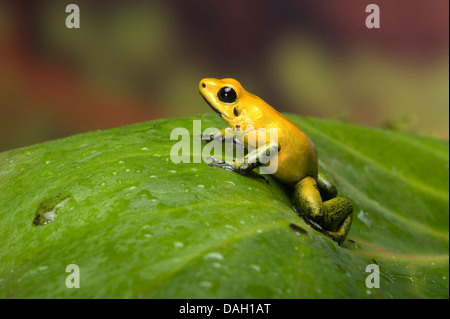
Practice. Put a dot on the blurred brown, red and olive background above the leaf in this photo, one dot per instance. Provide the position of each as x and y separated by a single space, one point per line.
133 61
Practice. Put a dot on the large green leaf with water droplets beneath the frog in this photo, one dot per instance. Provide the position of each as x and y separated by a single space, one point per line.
140 226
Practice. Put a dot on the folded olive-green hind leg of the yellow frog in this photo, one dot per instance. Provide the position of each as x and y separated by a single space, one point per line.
334 216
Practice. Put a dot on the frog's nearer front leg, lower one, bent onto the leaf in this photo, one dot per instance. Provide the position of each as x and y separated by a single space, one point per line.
250 161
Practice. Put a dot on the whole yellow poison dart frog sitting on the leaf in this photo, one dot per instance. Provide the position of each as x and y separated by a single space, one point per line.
313 196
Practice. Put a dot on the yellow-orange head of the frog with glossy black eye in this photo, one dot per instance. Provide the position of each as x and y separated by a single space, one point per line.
228 98
